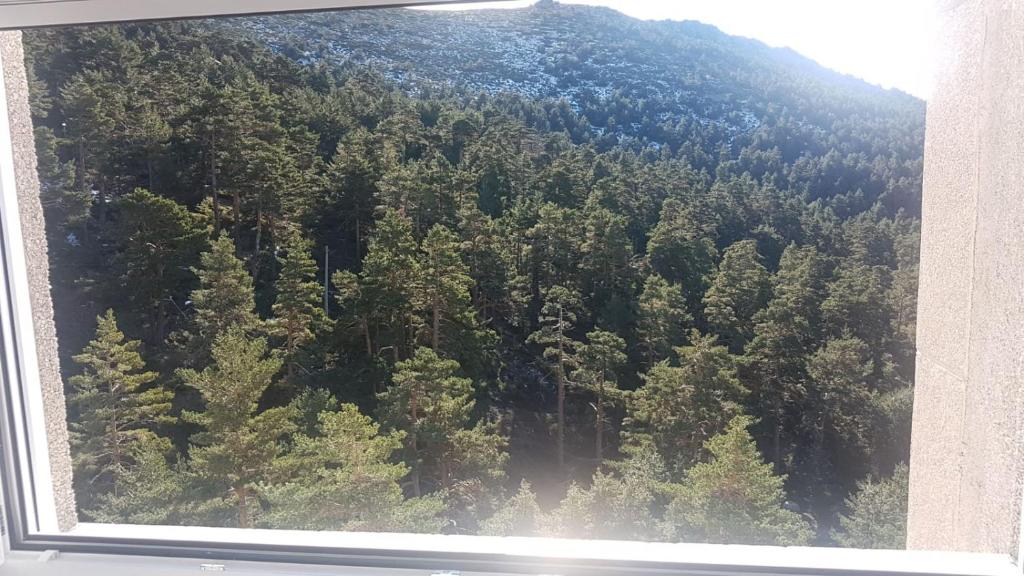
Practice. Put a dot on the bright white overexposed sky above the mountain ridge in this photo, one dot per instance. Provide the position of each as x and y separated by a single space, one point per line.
885 43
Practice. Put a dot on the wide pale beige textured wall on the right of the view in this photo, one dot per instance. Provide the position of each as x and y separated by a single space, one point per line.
967 458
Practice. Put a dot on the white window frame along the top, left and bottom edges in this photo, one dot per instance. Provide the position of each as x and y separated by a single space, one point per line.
112 550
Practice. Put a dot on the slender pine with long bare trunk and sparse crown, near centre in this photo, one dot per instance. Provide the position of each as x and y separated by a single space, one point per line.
559 318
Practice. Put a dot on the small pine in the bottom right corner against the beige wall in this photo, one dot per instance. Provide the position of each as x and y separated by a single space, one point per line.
876 514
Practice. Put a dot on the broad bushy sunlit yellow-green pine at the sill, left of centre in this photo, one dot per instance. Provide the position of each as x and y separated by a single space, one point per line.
343 477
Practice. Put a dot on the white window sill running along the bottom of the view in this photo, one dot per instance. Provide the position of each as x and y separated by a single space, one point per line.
417 554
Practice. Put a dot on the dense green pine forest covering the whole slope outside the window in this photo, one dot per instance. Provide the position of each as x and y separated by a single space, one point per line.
302 290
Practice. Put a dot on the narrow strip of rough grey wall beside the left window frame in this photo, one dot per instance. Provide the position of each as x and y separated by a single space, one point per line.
33 229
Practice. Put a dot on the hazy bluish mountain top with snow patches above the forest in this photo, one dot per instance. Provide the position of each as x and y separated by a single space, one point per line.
627 77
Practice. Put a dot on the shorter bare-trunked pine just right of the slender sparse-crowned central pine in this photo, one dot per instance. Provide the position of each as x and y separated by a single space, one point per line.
601 360
